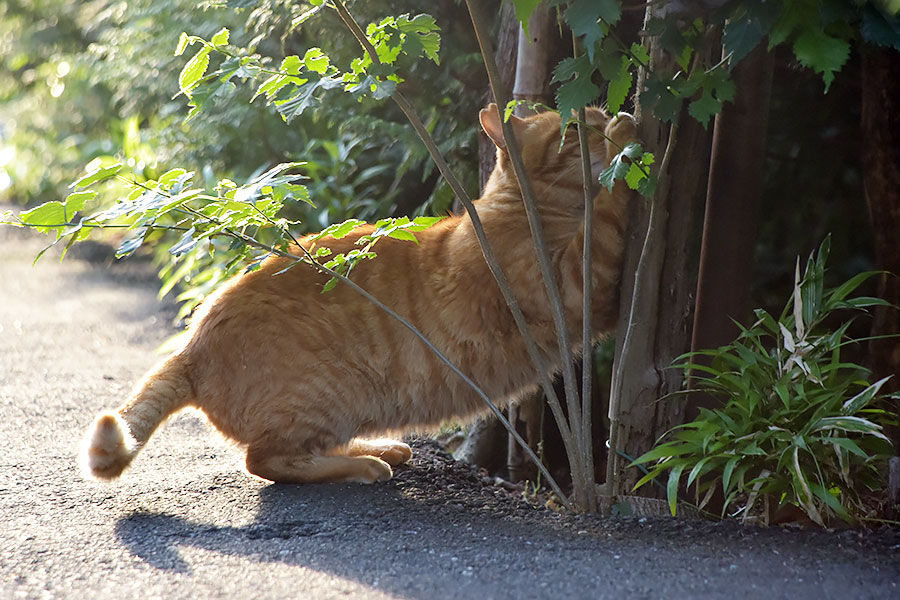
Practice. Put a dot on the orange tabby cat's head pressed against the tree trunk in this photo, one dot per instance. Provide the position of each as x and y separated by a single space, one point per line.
547 158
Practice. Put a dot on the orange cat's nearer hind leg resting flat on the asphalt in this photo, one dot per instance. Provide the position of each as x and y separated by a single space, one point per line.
285 468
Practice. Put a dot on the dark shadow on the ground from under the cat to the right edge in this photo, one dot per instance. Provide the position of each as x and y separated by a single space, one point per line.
466 533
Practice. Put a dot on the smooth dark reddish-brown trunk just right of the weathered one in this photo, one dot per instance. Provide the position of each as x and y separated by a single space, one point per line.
732 207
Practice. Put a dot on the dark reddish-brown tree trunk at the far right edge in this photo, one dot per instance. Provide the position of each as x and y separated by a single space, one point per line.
881 180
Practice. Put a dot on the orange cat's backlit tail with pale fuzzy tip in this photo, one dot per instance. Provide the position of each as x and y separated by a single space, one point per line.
115 438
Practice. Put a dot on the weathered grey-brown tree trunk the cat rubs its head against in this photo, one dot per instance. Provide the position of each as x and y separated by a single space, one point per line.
657 324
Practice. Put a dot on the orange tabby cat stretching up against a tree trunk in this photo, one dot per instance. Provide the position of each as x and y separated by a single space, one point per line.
301 379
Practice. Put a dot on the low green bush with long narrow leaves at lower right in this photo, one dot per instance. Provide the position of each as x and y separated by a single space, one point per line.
797 424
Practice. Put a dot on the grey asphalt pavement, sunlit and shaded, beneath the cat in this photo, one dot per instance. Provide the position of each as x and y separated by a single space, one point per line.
186 521
